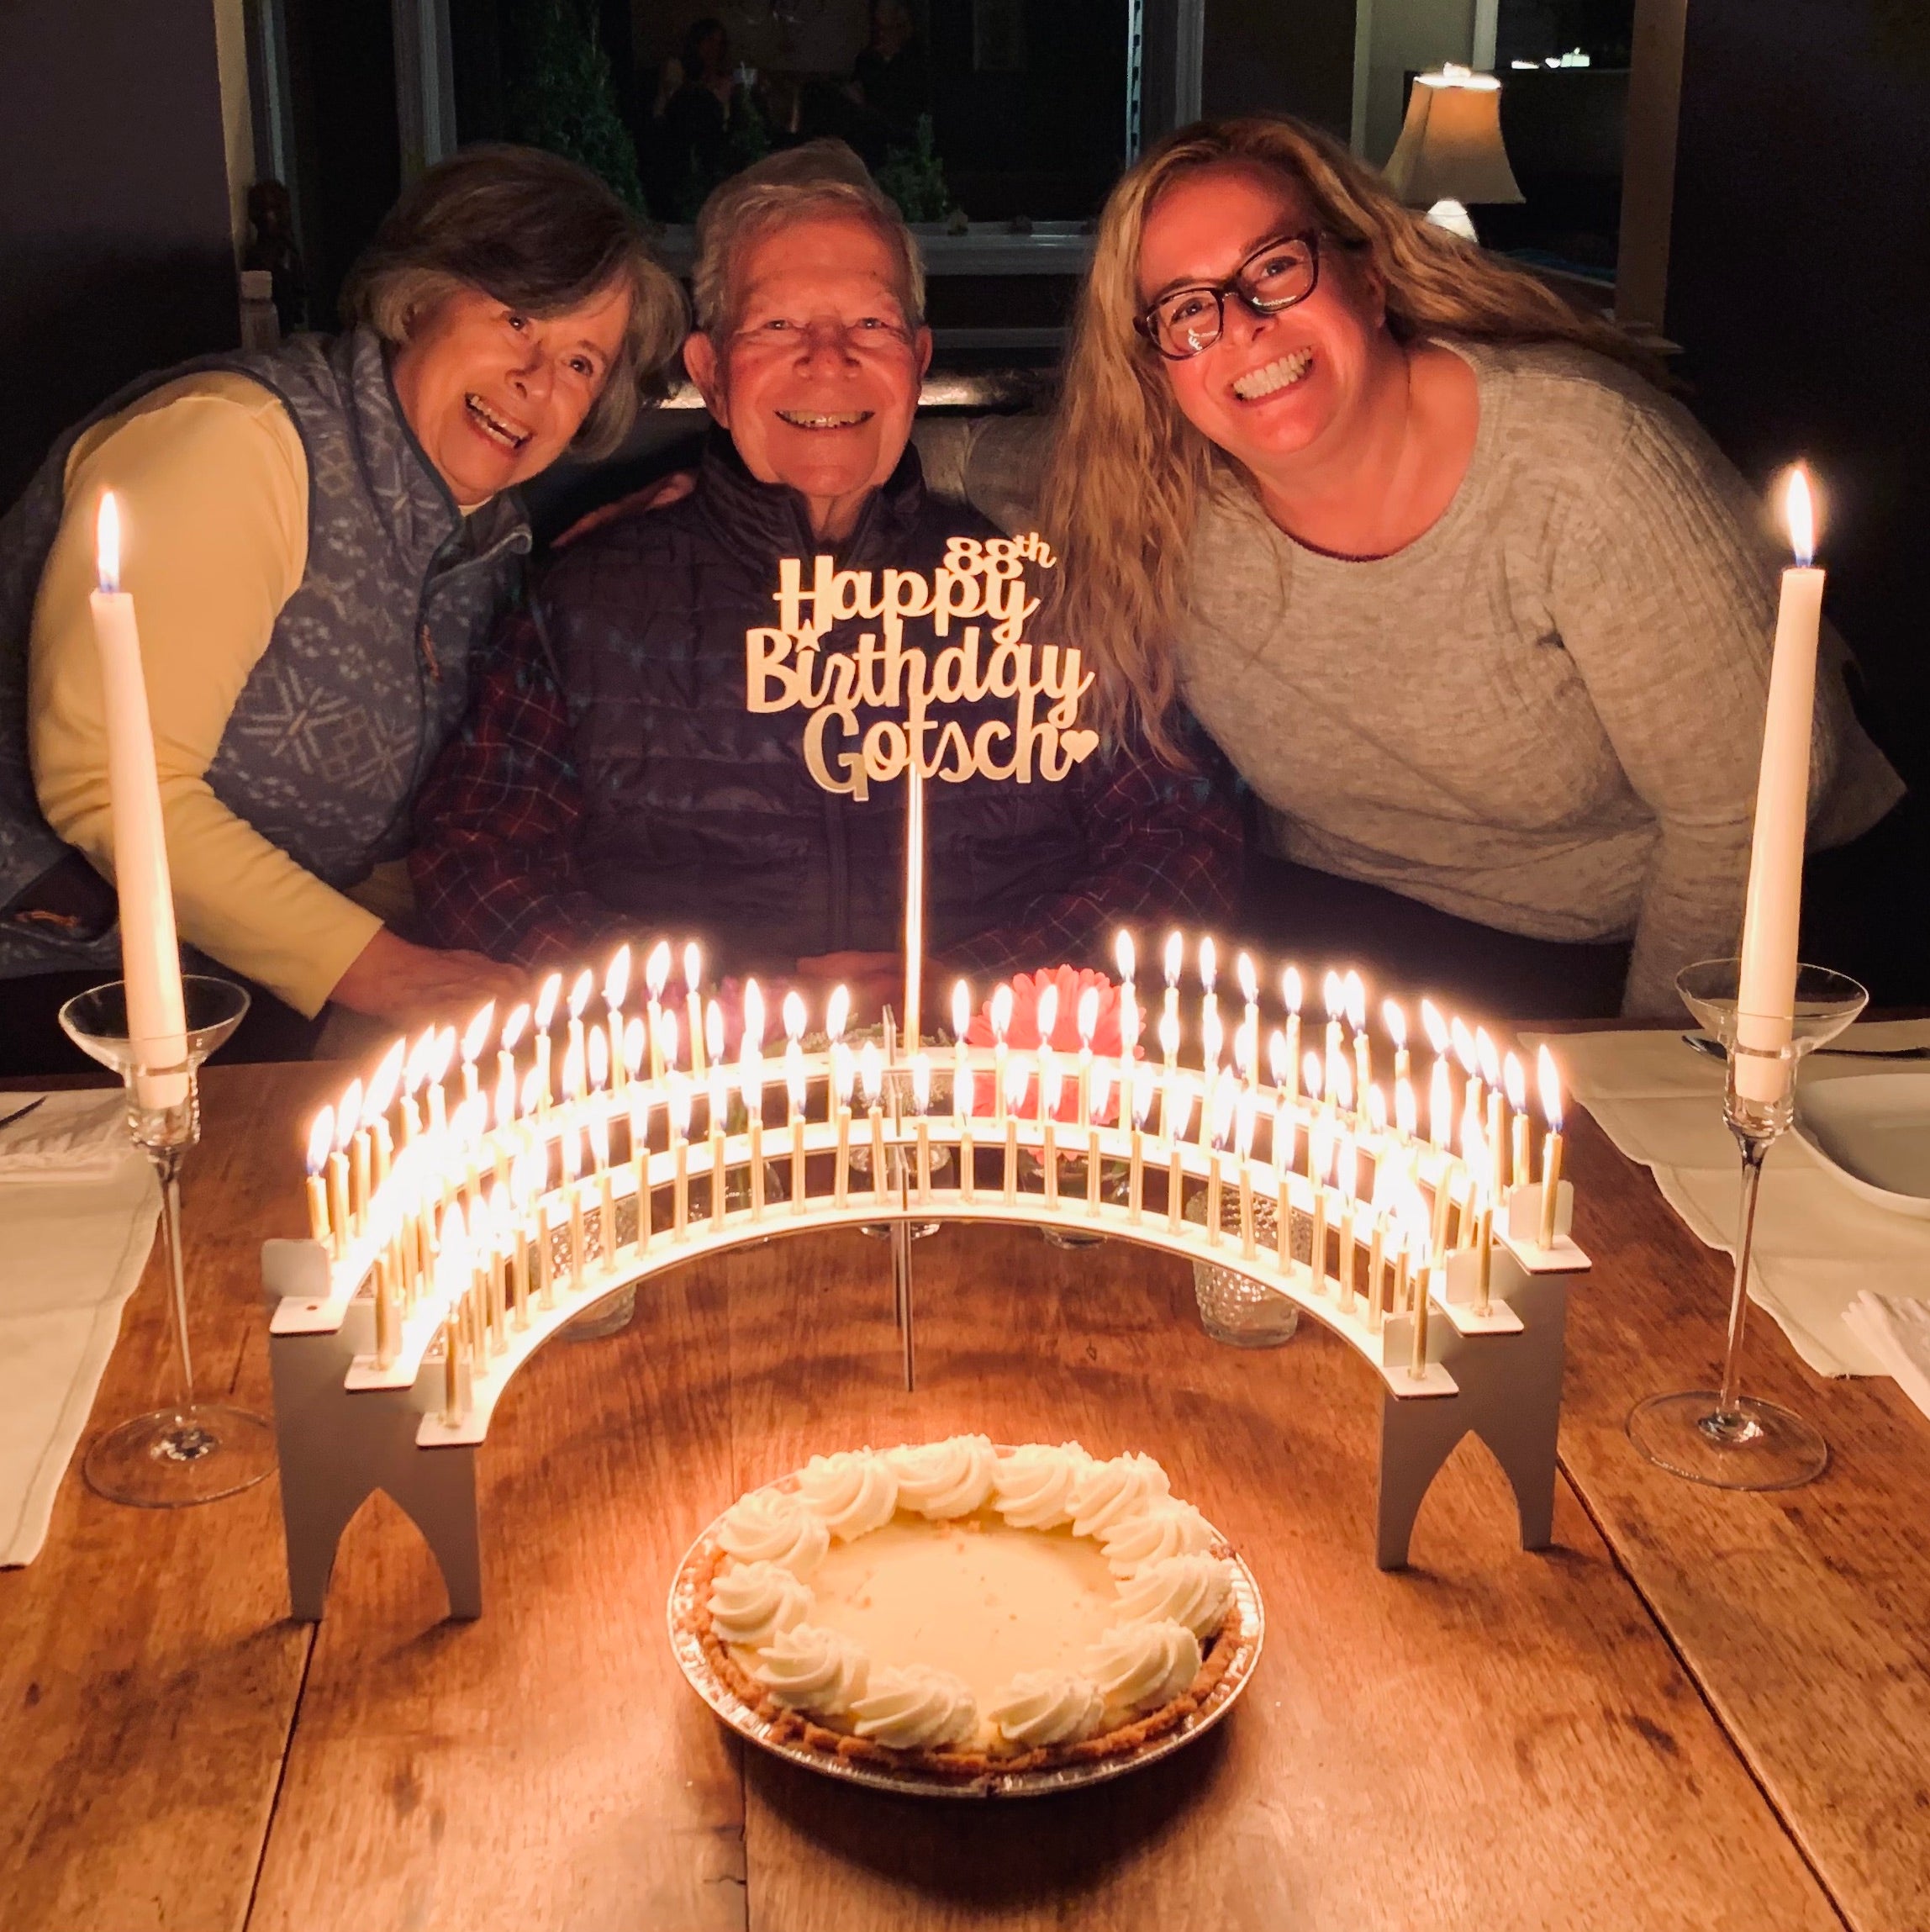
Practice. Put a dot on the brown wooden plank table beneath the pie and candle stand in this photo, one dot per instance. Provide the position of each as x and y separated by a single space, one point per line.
1697 1709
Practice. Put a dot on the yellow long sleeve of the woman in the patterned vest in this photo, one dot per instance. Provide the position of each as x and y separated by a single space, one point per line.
215 505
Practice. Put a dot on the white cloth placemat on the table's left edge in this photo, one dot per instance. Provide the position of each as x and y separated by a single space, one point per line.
78 1210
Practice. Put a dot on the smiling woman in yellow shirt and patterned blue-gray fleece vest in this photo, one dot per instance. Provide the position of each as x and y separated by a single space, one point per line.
318 536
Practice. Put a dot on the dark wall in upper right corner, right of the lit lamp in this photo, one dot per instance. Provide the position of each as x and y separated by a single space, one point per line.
1800 287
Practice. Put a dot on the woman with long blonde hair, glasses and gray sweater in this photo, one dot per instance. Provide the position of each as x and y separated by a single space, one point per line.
1477 611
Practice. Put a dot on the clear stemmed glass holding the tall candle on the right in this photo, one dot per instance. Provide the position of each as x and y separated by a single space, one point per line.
1720 1436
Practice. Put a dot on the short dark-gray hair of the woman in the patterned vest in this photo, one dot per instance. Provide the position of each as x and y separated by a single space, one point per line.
540 235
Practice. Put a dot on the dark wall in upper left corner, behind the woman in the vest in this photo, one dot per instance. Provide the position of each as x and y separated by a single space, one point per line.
115 248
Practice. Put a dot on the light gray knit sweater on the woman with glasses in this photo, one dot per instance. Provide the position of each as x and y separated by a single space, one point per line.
1547 712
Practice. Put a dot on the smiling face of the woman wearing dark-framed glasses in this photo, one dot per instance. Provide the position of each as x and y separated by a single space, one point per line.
1274 389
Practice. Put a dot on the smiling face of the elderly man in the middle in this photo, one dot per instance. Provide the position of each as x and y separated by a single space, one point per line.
818 376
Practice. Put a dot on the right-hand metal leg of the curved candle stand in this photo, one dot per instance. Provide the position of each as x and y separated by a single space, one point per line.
1510 1394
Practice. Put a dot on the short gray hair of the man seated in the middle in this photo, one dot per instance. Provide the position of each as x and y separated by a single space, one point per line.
795 185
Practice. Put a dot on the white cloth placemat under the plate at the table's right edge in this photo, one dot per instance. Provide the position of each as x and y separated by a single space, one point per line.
1819 1247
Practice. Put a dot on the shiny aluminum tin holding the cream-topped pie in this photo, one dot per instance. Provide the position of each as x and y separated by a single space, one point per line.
758 1730
